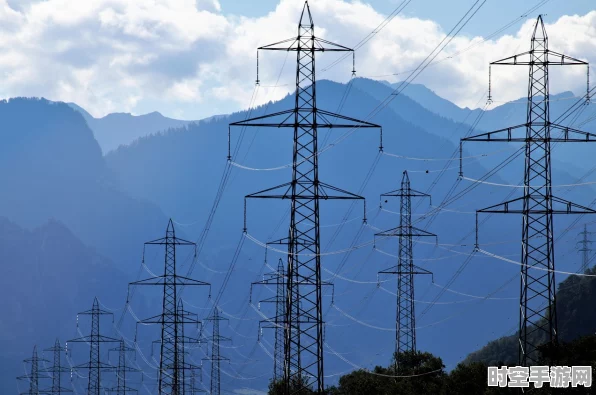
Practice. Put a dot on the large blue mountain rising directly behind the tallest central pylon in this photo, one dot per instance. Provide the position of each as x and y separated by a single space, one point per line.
180 170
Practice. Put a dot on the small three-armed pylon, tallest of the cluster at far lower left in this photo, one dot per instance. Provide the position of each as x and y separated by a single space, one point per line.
94 365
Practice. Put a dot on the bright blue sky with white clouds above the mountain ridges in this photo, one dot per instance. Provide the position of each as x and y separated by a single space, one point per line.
190 59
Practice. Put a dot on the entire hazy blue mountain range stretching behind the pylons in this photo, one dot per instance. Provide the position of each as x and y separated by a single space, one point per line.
111 183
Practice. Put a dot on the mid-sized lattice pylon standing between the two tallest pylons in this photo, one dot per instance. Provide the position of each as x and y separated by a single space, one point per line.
405 321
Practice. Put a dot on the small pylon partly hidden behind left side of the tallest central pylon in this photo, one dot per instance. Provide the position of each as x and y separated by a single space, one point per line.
277 278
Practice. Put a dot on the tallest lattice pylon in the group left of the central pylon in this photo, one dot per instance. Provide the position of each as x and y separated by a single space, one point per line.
173 317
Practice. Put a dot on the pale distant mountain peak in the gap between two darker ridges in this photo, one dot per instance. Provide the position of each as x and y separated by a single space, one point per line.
117 129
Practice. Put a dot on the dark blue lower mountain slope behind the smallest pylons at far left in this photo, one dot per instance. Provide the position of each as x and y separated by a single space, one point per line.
49 276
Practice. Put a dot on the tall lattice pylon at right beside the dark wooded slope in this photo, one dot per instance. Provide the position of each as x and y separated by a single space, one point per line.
538 315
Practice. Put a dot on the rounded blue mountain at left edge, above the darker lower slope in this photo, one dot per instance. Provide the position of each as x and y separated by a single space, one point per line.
51 166
